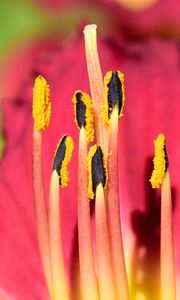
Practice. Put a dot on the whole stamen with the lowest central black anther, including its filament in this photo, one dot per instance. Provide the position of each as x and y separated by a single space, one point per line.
98 177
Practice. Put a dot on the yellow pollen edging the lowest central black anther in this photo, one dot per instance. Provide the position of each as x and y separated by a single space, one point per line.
90 156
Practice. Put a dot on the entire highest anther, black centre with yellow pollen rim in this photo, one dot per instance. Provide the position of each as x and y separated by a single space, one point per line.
114 94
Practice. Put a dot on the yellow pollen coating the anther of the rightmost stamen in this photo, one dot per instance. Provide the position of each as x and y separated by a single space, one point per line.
159 162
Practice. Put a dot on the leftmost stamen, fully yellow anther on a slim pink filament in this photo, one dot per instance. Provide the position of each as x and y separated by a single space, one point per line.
41 96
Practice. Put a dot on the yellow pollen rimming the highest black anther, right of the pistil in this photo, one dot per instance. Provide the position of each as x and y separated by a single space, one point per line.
106 108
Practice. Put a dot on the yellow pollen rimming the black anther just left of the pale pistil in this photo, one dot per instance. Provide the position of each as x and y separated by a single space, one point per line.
89 114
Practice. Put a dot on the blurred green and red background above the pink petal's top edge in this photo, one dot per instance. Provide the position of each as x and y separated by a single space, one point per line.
24 22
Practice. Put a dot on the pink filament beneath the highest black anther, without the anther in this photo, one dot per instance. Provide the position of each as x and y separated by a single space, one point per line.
114 225
